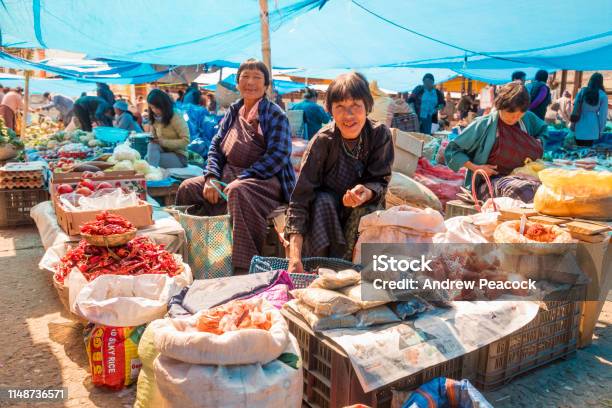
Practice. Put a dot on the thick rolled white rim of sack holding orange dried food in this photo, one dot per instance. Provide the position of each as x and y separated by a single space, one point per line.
180 339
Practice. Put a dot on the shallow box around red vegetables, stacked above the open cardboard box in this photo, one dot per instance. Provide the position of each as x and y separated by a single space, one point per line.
127 180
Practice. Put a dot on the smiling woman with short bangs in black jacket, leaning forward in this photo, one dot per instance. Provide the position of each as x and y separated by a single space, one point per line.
344 175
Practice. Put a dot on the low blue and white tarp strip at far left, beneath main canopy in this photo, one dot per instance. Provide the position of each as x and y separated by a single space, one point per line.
115 72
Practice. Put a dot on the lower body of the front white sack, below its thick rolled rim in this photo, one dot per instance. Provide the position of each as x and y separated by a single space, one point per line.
276 384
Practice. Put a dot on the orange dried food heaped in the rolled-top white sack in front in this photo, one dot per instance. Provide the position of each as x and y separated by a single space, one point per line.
236 315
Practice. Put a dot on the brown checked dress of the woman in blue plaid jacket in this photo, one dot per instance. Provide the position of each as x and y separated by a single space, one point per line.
250 200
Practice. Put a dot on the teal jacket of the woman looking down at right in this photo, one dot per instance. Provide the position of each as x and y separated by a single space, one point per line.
476 141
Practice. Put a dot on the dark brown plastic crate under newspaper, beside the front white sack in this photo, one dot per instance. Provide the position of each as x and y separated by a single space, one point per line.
330 381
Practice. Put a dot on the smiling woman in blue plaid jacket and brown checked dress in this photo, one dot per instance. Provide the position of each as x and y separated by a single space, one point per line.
251 153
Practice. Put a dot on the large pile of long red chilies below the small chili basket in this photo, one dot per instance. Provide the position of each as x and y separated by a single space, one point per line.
137 257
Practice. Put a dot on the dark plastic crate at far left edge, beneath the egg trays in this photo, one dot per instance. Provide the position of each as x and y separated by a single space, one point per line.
15 205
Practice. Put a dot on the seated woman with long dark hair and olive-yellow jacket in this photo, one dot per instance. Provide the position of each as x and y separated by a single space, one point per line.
170 133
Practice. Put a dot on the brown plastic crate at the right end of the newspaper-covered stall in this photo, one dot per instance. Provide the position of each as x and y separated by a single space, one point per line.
552 335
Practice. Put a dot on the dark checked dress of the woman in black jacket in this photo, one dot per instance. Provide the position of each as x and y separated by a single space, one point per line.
333 229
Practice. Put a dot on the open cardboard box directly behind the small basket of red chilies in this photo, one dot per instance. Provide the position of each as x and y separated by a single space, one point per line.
71 221
